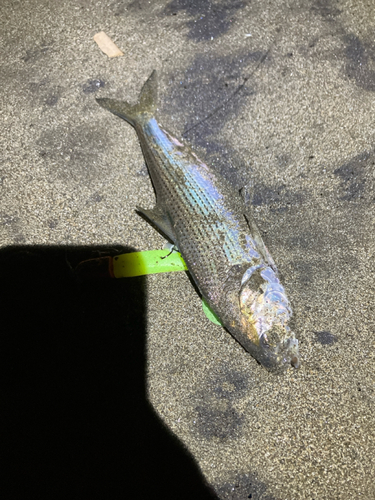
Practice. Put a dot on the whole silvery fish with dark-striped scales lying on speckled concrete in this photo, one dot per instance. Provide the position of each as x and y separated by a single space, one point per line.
212 225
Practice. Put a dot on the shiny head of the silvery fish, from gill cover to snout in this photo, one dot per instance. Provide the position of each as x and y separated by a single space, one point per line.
264 314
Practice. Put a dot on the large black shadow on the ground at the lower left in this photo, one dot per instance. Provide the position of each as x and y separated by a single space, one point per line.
77 420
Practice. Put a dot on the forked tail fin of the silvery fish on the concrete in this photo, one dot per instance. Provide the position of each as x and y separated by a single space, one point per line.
146 104
